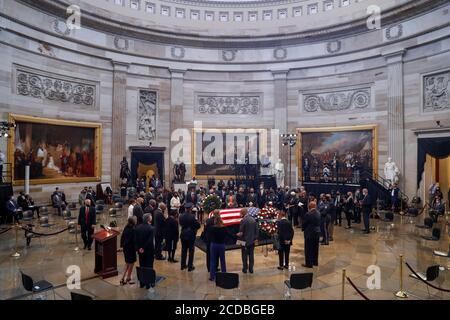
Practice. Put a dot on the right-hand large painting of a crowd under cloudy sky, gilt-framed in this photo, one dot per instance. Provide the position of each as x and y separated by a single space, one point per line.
337 155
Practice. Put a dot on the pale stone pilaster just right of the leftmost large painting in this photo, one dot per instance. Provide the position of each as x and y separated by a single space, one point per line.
118 145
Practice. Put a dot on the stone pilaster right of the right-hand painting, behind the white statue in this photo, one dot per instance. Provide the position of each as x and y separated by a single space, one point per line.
395 108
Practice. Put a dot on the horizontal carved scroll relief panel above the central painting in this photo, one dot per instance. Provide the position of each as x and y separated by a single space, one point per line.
229 104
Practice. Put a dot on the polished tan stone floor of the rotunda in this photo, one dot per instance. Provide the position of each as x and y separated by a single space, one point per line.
48 258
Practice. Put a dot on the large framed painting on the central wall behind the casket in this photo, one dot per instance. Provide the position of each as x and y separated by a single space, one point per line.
225 153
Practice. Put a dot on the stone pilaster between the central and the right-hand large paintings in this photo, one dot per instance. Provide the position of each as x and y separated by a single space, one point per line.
280 121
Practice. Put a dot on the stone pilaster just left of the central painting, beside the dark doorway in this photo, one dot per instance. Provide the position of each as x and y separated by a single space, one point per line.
176 112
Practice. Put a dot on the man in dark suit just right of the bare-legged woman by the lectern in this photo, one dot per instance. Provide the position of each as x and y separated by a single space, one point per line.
144 242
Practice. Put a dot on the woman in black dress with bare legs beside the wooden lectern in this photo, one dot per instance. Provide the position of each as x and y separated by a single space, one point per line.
129 250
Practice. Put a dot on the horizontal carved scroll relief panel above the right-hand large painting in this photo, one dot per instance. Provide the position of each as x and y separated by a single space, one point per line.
337 100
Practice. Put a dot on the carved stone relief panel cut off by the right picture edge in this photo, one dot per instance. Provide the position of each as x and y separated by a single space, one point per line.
436 91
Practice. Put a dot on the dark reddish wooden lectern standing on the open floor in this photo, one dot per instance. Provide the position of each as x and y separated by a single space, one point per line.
106 253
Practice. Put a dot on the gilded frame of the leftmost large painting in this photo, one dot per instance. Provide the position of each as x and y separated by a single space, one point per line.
95 160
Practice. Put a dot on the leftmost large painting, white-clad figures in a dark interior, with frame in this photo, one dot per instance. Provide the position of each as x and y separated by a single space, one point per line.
57 151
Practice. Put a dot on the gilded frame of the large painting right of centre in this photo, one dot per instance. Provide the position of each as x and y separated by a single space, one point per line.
373 128
